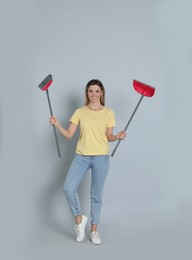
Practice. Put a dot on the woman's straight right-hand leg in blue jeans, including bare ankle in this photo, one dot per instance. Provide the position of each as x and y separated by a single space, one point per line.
100 169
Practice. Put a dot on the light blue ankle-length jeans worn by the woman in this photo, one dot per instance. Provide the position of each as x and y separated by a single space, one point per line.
99 165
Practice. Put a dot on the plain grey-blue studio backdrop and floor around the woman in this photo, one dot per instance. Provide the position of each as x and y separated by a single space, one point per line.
147 207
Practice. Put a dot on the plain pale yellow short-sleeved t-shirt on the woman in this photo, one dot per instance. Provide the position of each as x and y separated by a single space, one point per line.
93 126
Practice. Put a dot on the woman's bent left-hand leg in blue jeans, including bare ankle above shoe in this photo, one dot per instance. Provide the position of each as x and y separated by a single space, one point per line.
79 167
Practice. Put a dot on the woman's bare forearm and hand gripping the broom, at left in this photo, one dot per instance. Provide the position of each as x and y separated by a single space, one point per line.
67 133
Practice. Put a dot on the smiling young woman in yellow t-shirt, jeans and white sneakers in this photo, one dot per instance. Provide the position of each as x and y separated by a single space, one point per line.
96 124
